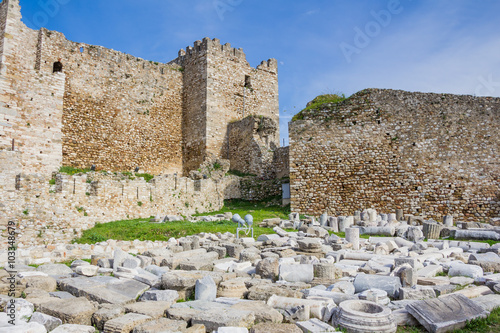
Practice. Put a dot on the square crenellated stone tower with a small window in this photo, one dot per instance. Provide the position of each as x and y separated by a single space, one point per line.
232 90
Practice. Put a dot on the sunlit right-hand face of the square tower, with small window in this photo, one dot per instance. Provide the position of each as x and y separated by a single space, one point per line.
228 99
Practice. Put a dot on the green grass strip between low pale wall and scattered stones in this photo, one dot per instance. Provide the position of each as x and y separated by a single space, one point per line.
143 230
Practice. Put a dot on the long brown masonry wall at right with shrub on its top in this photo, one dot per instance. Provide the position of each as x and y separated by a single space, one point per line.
430 154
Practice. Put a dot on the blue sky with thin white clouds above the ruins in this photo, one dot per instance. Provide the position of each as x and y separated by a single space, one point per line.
322 46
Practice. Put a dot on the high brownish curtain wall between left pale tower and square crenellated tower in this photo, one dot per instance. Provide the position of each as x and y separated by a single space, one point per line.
120 112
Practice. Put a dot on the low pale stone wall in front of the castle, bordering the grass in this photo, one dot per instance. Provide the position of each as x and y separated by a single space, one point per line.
51 214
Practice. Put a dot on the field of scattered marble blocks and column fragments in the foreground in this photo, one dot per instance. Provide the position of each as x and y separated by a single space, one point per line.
306 280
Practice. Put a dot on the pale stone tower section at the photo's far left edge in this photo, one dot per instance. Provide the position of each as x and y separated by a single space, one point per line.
30 102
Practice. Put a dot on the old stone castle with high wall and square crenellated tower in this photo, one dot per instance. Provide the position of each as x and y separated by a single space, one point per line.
68 103
